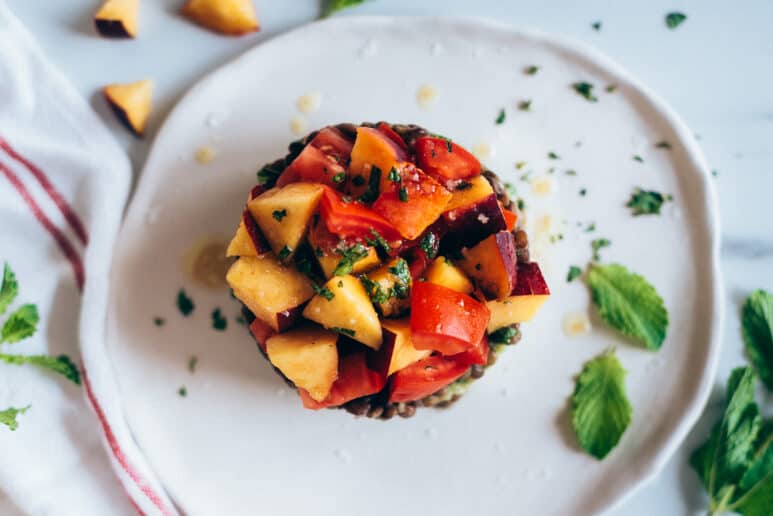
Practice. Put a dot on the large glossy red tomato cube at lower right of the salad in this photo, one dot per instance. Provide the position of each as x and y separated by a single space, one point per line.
445 320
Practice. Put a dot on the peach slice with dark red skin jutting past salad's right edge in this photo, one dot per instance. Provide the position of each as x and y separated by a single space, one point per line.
530 293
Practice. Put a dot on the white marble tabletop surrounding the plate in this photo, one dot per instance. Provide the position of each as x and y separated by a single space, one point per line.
714 69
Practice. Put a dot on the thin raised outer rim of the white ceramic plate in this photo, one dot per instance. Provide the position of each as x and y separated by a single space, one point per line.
646 468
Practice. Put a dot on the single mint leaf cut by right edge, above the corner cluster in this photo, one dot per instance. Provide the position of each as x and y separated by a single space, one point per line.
757 330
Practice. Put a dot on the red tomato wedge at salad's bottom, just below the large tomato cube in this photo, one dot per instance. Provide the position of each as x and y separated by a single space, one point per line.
425 377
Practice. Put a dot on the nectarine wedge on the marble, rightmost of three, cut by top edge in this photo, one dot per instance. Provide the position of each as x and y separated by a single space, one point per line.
230 17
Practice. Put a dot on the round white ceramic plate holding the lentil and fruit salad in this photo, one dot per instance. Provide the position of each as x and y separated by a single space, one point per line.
240 443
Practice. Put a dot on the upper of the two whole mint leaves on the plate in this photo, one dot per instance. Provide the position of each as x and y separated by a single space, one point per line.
629 303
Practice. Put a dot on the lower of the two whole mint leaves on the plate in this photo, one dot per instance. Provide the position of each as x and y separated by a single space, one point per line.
601 411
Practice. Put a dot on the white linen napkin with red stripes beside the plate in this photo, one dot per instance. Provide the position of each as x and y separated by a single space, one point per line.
63 185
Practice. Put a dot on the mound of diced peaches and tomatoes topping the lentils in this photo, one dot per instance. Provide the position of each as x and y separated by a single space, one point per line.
377 261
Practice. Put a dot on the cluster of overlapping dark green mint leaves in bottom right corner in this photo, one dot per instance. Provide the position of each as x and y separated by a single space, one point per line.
735 464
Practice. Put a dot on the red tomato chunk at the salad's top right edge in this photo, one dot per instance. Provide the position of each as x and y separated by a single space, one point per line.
443 159
